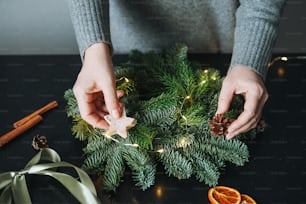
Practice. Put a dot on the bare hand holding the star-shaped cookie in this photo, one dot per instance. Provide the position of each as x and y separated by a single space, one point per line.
95 87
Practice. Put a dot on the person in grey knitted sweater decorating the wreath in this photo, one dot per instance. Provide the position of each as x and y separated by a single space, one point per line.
246 28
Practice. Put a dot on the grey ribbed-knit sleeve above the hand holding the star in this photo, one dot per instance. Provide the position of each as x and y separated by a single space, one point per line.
90 19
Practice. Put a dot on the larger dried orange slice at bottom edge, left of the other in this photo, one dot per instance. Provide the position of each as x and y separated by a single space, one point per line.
223 195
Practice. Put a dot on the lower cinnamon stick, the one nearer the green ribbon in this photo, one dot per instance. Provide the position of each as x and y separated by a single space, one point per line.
4 139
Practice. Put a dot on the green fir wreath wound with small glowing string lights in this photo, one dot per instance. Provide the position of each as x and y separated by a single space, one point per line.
173 100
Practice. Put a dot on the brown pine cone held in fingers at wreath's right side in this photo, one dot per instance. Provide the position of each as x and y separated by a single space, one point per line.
219 124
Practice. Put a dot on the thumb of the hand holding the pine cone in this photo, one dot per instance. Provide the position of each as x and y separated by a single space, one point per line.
225 99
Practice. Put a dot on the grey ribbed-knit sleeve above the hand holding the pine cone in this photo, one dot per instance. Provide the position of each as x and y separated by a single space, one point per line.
255 33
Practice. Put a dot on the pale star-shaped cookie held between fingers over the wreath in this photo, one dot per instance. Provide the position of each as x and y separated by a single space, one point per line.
120 125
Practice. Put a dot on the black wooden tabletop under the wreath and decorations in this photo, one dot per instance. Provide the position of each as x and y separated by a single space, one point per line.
276 172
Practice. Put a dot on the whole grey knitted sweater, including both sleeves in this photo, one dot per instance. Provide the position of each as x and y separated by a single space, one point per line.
245 28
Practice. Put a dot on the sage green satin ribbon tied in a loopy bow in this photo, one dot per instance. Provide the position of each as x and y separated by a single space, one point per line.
14 183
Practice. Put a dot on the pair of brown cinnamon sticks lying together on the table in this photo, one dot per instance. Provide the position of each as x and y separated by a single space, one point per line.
26 123
